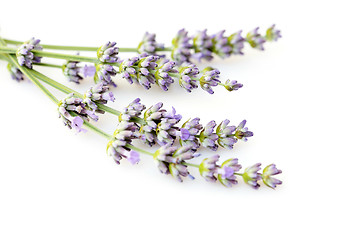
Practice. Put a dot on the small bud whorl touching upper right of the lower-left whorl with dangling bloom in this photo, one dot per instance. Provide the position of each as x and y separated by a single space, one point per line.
98 94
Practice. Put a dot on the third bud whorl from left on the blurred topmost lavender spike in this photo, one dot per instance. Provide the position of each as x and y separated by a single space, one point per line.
203 45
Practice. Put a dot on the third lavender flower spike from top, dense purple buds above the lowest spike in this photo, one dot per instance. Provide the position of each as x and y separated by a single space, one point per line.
159 126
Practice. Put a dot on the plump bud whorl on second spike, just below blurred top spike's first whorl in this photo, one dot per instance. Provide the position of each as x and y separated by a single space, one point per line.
139 69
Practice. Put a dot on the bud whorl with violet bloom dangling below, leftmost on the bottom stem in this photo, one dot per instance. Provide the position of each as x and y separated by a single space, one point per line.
71 106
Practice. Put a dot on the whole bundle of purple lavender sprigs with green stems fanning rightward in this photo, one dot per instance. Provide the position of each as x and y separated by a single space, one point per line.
178 143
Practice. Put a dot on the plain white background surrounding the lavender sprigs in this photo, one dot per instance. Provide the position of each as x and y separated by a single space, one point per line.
300 97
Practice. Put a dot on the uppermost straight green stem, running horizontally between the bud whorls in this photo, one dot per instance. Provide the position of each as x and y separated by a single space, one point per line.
80 48
